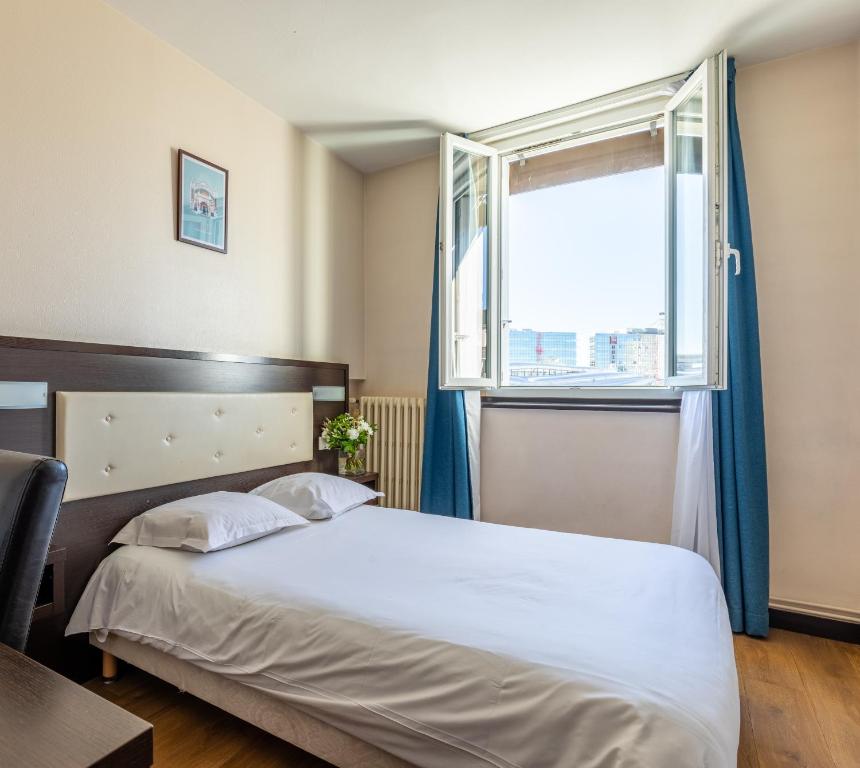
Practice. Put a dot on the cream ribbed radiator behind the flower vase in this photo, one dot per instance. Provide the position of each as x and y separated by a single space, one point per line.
395 450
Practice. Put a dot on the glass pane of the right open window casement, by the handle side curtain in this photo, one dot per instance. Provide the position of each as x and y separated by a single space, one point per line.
690 237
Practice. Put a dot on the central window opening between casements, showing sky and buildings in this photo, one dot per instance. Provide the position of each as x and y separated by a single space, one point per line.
586 265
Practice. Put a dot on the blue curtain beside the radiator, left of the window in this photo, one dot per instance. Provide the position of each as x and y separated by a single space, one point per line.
445 482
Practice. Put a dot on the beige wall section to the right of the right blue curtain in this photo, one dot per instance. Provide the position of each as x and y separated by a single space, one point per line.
800 126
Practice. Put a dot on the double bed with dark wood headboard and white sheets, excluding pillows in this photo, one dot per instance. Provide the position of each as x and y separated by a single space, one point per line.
383 638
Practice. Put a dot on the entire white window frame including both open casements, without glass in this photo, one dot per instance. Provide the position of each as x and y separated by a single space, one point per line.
591 121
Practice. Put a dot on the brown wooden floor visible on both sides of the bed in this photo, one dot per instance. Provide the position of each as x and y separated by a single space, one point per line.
800 708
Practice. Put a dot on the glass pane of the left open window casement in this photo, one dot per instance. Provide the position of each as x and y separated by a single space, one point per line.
470 267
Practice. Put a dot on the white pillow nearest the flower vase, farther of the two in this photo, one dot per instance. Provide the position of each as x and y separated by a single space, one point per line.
317 496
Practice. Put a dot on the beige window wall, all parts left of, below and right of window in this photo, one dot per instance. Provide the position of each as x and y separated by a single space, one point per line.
612 474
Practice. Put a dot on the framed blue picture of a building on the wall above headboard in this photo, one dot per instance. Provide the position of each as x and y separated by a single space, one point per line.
201 203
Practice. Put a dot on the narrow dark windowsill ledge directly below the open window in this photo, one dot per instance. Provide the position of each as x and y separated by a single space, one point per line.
638 400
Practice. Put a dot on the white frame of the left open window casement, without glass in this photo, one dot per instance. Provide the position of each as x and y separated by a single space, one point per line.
447 376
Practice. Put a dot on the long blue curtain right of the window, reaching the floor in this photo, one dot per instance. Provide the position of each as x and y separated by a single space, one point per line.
739 450
